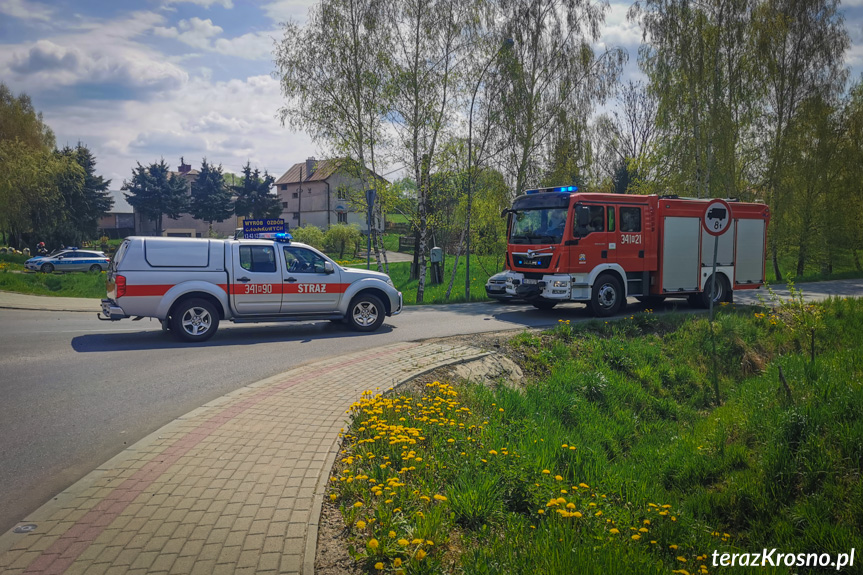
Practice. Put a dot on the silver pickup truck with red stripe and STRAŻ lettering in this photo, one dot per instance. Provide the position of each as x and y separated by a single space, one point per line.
191 284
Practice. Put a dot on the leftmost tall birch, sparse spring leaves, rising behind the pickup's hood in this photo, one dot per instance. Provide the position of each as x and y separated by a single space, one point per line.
332 74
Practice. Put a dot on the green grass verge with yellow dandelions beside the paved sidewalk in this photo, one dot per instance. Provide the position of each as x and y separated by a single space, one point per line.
615 458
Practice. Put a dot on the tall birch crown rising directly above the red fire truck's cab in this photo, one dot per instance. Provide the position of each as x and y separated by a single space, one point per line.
555 77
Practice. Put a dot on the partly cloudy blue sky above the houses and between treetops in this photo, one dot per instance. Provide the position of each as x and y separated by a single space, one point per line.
137 81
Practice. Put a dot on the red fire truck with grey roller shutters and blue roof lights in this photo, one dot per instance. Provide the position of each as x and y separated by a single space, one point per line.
565 245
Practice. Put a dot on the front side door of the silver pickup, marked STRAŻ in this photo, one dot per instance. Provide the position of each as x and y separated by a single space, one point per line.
308 288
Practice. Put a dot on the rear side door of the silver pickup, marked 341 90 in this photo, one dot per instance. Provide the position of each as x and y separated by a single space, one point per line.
256 286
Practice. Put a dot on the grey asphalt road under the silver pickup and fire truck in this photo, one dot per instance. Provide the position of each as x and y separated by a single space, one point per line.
76 391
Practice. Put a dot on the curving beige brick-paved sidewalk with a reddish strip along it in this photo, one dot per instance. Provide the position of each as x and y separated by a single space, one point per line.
233 487
